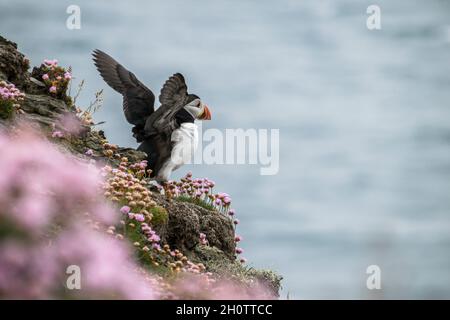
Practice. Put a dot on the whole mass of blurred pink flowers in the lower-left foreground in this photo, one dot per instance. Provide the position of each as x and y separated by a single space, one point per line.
43 188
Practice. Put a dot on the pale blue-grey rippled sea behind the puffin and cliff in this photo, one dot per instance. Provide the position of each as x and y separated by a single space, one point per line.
364 119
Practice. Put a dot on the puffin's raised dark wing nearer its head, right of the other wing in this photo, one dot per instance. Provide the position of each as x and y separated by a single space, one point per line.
173 98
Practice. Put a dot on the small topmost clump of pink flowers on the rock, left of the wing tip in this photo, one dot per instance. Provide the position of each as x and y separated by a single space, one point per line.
55 77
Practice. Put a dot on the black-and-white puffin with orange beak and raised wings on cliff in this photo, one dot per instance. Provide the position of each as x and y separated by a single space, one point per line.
168 135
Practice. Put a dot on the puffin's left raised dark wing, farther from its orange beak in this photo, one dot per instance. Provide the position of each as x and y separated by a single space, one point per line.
138 100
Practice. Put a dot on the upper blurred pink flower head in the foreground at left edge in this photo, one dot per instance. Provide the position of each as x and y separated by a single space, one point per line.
42 183
